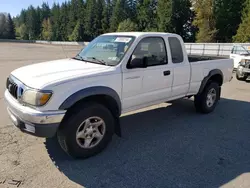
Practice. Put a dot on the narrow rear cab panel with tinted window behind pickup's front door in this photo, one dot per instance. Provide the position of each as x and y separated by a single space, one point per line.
181 66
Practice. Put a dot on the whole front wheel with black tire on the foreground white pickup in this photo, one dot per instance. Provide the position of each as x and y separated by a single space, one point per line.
87 131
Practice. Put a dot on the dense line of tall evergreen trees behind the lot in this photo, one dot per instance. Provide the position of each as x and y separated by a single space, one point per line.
82 20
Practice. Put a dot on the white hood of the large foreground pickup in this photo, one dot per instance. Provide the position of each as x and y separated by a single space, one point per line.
41 74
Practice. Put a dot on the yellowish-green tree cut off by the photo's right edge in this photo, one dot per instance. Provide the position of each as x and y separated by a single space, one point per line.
242 33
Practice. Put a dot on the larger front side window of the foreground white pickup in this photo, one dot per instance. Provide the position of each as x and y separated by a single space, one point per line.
151 50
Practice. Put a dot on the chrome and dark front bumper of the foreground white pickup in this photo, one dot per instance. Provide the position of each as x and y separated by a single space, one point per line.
28 120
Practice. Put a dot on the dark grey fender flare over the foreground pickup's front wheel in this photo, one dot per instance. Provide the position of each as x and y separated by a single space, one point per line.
88 92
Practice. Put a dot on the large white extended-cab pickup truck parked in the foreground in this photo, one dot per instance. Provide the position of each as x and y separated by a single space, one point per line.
80 99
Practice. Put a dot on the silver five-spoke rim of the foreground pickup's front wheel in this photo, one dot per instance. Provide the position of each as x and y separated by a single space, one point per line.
90 132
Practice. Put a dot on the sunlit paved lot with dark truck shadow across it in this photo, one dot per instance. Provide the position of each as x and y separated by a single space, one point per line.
168 145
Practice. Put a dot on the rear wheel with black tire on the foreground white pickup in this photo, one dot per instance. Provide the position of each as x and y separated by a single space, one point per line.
208 99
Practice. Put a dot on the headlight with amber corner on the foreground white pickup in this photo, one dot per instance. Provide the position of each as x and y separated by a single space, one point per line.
36 97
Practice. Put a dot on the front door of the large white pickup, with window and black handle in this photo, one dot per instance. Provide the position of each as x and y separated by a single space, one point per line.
156 79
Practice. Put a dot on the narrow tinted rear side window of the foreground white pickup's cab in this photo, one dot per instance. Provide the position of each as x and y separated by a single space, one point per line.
176 50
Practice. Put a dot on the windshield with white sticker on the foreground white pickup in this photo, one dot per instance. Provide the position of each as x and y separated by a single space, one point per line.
106 49
